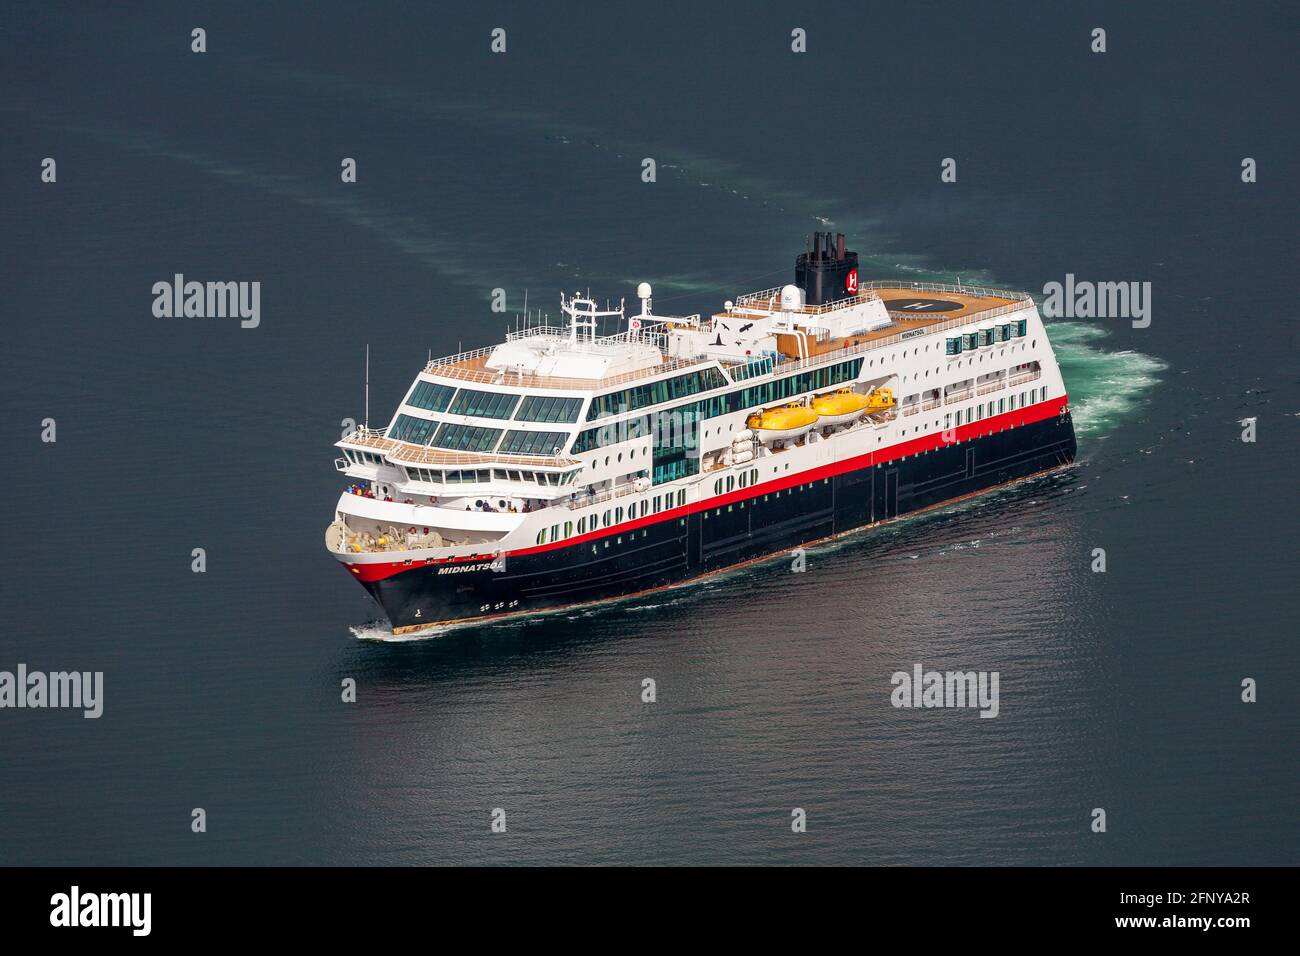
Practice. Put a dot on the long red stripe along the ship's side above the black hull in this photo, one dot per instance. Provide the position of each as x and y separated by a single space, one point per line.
928 443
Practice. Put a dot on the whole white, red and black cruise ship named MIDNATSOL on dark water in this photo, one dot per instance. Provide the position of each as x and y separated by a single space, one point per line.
566 468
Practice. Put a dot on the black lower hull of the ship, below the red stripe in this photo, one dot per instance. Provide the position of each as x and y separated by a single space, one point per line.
707 538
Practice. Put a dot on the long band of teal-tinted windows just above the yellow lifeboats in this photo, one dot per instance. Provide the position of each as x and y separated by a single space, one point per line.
677 426
